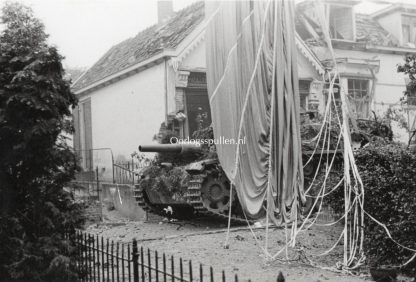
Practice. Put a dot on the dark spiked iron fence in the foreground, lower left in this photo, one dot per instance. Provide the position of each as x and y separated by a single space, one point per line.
99 259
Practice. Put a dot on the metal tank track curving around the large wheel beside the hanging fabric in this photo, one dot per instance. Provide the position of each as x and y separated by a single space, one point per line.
194 199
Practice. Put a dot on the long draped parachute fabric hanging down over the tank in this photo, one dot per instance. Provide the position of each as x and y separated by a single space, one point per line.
253 90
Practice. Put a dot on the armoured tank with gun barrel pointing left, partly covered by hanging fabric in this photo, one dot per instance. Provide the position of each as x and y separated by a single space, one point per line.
205 189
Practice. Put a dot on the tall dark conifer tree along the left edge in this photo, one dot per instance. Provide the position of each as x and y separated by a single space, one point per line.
35 160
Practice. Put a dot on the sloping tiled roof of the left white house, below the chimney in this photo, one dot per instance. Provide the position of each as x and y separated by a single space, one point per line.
143 46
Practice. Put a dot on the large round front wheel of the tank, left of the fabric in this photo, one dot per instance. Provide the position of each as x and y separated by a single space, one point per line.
215 194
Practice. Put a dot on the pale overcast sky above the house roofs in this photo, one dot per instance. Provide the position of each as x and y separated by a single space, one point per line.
83 30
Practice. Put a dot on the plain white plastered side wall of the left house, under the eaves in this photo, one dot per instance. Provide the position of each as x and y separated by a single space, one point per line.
129 112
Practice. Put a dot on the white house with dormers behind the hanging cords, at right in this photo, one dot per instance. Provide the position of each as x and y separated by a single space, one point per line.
367 48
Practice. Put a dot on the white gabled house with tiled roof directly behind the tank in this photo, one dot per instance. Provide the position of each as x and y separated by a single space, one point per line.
155 81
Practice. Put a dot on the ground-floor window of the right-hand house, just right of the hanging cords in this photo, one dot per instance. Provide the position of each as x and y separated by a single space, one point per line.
359 98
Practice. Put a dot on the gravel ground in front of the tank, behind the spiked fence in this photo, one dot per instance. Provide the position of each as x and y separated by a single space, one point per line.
203 242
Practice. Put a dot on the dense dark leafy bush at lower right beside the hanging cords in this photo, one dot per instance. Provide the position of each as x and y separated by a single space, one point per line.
388 174
